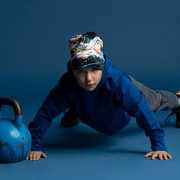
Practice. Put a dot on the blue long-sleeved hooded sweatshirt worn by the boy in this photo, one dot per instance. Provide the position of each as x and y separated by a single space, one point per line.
107 109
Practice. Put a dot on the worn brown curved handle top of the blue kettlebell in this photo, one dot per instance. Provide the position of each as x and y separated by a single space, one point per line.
13 103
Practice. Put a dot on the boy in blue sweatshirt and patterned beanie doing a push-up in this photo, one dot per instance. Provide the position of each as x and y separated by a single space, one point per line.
103 97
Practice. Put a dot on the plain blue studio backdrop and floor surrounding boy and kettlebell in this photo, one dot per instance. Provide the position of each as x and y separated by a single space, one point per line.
141 37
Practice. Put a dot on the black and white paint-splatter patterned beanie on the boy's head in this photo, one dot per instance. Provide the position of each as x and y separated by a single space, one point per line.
86 51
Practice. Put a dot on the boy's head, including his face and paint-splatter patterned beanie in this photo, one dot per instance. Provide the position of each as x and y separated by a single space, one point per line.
87 59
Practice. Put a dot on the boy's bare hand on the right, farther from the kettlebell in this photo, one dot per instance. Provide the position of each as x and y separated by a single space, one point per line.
158 154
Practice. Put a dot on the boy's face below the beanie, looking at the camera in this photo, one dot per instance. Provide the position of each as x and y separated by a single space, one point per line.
88 78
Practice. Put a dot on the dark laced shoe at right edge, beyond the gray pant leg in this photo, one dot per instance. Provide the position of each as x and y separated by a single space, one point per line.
175 111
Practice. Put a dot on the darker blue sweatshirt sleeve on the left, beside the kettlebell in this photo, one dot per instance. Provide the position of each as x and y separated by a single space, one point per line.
55 103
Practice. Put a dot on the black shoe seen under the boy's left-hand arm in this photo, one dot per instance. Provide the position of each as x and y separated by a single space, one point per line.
69 119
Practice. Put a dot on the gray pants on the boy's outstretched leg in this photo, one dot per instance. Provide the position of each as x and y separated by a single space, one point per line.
157 99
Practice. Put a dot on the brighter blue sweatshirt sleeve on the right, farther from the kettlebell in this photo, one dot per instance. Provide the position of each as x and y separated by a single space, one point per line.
131 100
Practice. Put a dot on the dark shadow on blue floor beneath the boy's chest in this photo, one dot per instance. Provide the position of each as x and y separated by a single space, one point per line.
83 138
